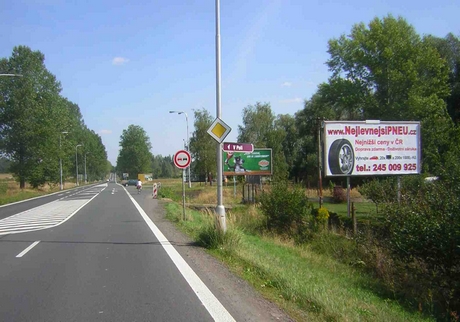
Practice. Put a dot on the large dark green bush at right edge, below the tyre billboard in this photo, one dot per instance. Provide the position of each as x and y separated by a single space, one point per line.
424 235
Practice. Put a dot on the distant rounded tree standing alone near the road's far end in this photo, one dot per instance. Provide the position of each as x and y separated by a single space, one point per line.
134 156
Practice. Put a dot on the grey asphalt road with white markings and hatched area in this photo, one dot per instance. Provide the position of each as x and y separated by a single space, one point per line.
95 256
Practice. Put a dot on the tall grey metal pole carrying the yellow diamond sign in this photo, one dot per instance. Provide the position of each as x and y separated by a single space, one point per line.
220 209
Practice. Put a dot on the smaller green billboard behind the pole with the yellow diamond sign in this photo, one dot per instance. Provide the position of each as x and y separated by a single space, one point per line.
256 163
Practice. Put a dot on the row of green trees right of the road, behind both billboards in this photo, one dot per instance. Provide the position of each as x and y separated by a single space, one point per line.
384 70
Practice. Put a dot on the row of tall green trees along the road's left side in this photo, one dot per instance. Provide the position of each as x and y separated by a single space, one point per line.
38 126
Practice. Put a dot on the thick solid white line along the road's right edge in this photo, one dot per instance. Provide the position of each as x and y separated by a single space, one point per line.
210 302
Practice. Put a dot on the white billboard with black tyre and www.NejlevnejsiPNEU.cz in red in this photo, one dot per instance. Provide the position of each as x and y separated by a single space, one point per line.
371 148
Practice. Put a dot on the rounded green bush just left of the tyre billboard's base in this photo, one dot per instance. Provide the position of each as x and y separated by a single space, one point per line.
287 211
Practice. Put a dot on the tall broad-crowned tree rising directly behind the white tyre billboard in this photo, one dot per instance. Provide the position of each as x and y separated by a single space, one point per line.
401 77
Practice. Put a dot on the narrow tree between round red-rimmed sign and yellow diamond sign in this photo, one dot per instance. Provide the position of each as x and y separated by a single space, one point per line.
202 145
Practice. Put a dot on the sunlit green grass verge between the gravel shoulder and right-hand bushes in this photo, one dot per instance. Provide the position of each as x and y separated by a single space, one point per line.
306 284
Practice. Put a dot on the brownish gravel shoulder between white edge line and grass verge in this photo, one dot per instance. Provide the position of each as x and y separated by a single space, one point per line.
238 297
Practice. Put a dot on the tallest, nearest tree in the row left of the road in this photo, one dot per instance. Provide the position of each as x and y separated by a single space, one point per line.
29 114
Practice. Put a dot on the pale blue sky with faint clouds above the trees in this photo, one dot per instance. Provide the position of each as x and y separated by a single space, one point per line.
131 62
